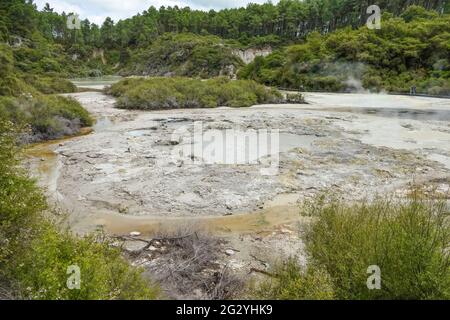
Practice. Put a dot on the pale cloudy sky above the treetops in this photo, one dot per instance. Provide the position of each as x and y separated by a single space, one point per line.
97 10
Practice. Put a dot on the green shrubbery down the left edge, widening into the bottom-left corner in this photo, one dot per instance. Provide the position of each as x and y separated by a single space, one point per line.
35 255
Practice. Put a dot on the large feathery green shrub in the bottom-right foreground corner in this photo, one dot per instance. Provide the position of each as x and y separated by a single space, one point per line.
408 241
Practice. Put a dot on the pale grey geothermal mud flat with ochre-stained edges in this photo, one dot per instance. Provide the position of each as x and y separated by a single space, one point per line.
124 176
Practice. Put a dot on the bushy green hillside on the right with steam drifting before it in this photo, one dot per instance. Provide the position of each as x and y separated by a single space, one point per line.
411 50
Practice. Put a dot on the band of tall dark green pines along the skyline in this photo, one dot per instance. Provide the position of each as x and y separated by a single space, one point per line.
289 20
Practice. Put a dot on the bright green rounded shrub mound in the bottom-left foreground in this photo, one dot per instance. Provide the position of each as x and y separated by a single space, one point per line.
105 274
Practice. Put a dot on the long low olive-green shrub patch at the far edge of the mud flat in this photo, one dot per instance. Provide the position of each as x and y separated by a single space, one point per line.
167 93
